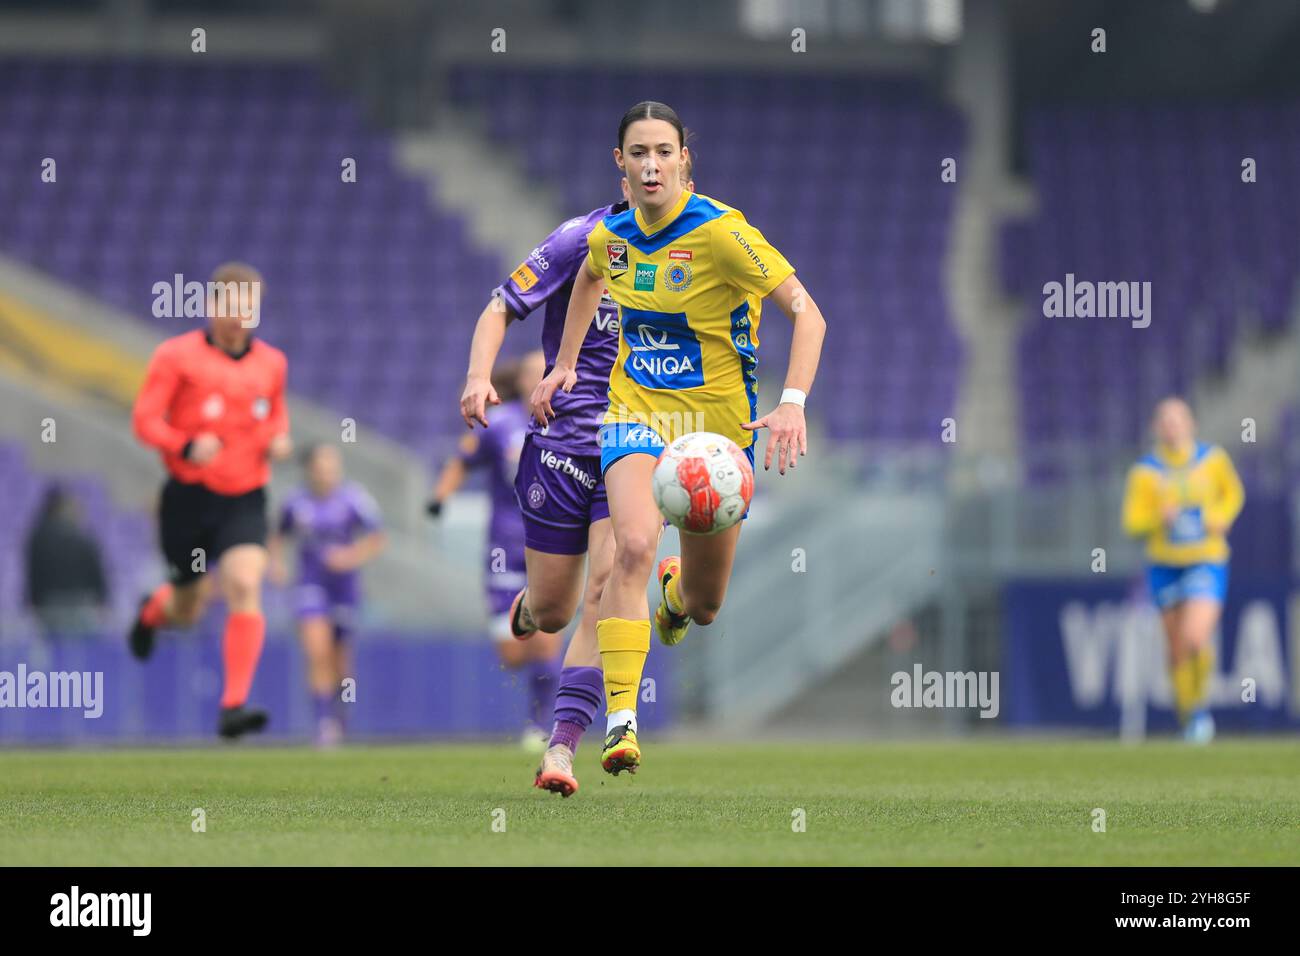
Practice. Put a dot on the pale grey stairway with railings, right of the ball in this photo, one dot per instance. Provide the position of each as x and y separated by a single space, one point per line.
816 587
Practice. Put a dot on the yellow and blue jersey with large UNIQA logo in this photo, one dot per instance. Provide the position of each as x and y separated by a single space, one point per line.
690 292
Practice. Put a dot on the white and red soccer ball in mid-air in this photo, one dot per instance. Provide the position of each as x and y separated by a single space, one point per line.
703 483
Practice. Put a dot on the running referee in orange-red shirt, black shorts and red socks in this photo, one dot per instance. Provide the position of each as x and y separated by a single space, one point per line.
214 406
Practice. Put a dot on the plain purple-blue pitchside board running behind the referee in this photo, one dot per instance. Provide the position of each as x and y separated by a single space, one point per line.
92 691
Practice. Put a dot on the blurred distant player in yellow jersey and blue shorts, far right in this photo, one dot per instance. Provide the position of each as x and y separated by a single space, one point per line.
1182 499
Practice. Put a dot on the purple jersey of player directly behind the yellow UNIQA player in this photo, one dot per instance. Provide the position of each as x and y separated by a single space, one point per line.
547 279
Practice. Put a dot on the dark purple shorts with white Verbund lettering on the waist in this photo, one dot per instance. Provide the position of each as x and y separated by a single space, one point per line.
561 496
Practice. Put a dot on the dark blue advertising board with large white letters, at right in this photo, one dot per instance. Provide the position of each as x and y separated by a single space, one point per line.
1085 654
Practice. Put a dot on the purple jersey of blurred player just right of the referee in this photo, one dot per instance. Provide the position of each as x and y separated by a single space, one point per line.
320 525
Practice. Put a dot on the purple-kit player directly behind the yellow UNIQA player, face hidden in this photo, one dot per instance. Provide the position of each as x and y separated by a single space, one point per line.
560 487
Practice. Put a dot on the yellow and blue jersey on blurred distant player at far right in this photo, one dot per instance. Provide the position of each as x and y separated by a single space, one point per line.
1203 487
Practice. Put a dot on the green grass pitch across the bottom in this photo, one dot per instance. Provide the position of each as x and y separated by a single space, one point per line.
881 804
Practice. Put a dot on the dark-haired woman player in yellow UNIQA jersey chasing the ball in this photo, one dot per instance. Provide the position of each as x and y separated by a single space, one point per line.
688 275
